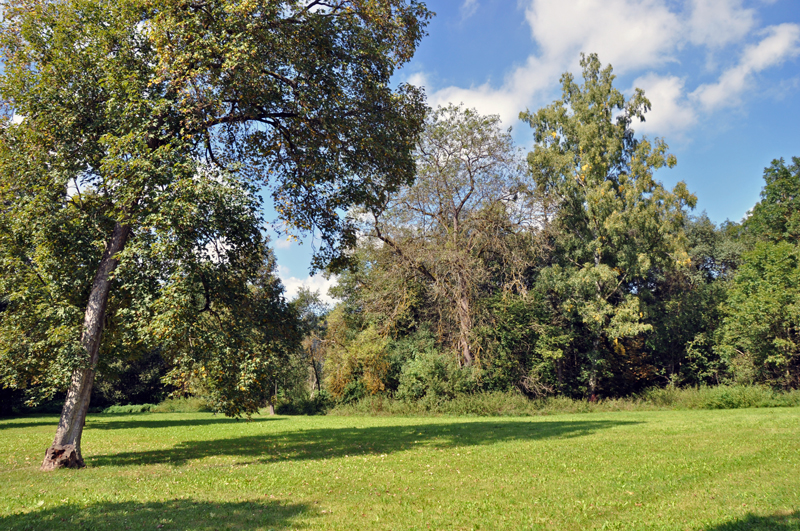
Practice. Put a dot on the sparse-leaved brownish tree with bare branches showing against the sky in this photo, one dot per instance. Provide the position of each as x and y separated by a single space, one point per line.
465 200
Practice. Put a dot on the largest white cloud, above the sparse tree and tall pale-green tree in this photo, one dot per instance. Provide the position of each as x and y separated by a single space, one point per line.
626 33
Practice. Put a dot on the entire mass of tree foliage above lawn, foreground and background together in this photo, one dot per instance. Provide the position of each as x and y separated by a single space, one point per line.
138 136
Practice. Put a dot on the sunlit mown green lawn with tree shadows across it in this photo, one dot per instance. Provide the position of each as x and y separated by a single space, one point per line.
710 470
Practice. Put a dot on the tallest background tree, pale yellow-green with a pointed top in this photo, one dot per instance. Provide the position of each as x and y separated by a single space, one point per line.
614 222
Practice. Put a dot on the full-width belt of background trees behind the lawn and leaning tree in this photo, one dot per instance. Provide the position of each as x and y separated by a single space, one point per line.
569 271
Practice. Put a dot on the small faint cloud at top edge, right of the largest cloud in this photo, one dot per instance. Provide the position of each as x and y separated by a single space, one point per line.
716 23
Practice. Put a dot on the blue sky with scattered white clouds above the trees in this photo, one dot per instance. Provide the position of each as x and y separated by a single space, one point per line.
723 77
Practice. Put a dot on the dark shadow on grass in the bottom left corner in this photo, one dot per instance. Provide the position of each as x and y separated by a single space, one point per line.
172 514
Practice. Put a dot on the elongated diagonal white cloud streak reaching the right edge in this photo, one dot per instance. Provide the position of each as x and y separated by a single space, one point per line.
781 43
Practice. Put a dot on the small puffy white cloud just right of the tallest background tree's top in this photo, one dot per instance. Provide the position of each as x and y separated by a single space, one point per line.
671 111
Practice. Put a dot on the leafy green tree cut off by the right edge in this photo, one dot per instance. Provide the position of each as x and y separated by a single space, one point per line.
761 331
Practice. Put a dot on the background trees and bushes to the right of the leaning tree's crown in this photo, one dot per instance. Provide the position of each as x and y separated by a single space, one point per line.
573 272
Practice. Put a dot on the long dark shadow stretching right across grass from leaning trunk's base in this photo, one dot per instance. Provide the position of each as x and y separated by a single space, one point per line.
338 442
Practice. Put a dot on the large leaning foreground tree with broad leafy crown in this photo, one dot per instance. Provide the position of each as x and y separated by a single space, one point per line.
129 178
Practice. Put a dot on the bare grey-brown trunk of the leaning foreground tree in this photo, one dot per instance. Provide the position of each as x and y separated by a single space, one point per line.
66 448
